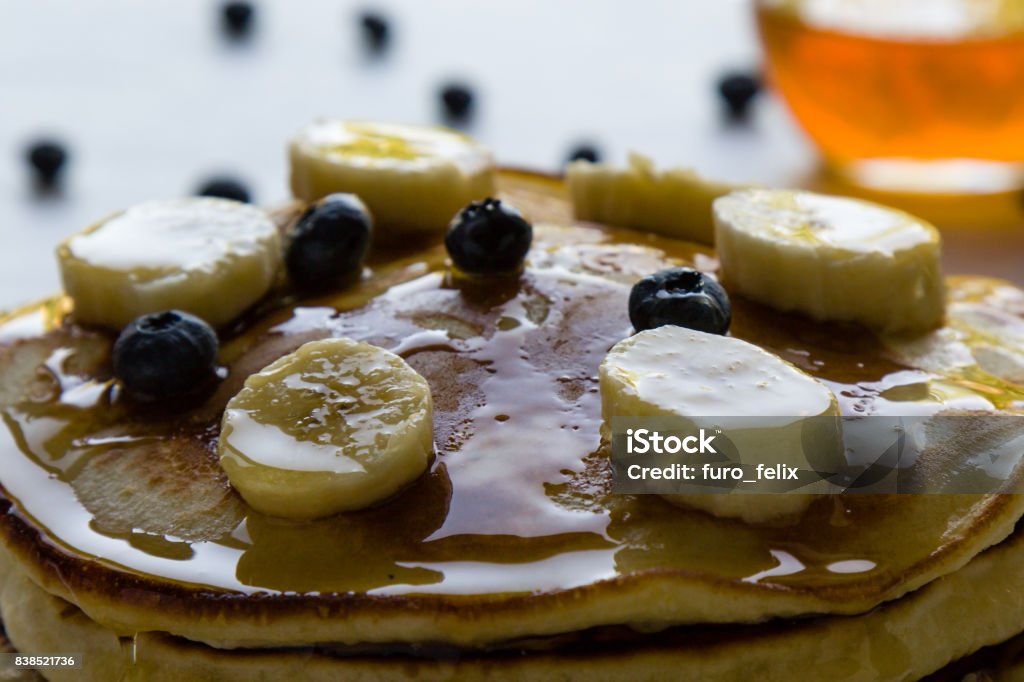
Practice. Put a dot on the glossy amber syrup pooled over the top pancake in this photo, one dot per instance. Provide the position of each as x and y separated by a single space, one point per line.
511 364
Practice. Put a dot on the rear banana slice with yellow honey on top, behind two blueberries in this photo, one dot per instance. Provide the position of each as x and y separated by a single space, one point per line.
414 179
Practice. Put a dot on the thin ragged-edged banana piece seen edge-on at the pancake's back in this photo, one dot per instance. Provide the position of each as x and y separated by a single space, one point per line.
675 202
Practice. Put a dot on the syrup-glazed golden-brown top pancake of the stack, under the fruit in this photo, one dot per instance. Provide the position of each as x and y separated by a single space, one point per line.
515 532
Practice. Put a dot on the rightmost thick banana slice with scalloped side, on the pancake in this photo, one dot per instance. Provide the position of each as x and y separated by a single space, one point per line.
832 259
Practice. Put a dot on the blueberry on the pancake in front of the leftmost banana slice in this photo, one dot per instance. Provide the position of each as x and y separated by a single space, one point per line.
165 356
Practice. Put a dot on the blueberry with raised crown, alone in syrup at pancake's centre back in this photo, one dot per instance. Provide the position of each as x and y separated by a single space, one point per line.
489 238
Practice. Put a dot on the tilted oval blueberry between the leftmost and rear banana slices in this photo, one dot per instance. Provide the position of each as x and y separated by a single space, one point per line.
329 242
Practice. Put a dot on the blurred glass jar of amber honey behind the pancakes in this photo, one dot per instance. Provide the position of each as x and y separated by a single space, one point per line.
925 95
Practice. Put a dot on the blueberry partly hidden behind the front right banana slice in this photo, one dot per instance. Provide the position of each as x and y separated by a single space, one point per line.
684 297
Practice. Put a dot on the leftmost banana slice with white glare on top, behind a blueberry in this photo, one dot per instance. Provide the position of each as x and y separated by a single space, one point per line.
210 258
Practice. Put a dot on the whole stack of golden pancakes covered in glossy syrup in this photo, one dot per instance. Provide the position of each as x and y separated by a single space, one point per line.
511 559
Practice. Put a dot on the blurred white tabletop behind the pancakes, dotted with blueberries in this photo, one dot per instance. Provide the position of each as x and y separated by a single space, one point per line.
154 100
